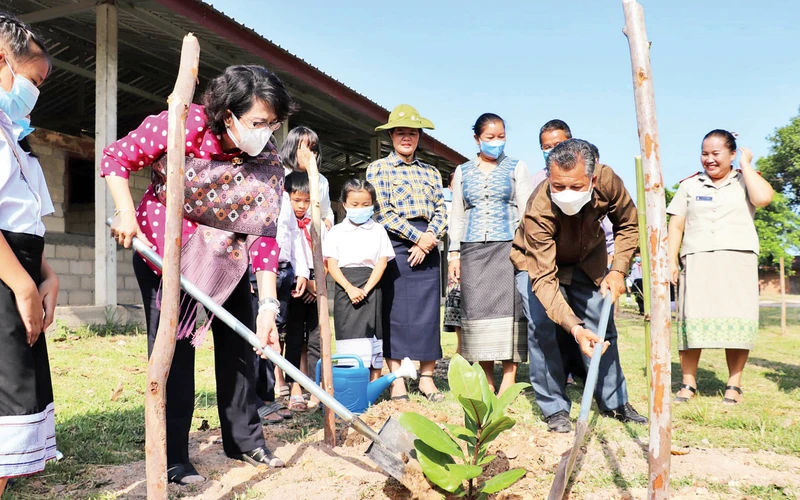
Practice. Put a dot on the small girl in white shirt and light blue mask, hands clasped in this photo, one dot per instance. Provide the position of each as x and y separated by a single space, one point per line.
357 251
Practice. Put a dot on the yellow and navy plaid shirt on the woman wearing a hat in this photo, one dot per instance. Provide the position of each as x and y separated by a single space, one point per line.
408 191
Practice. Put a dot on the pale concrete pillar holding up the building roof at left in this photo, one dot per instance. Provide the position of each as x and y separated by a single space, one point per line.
105 264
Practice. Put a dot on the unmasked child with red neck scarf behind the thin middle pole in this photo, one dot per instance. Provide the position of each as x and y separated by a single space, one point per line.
302 320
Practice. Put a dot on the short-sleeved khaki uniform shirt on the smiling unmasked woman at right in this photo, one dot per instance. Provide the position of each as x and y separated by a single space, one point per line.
717 217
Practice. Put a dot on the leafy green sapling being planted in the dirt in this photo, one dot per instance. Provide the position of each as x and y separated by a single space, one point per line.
445 462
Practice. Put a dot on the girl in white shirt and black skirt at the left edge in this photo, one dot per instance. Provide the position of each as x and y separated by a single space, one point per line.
28 286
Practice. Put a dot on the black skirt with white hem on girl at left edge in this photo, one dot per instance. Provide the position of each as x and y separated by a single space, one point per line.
27 424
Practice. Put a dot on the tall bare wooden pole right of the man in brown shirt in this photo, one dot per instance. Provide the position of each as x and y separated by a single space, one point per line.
655 208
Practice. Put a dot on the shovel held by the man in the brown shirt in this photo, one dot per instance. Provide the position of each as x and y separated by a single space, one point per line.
564 470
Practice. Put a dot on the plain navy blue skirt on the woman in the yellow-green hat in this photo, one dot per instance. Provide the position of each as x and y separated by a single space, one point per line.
411 304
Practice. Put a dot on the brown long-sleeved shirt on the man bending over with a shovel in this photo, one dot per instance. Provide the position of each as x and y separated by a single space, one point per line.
550 245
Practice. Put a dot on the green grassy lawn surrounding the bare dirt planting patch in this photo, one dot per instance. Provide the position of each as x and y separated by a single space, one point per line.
99 380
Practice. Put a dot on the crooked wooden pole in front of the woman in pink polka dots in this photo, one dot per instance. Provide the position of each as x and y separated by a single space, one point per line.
164 347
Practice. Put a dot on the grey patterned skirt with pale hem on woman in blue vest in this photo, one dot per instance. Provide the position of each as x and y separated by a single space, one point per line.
493 326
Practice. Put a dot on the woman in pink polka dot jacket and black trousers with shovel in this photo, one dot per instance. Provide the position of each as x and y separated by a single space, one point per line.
227 146
